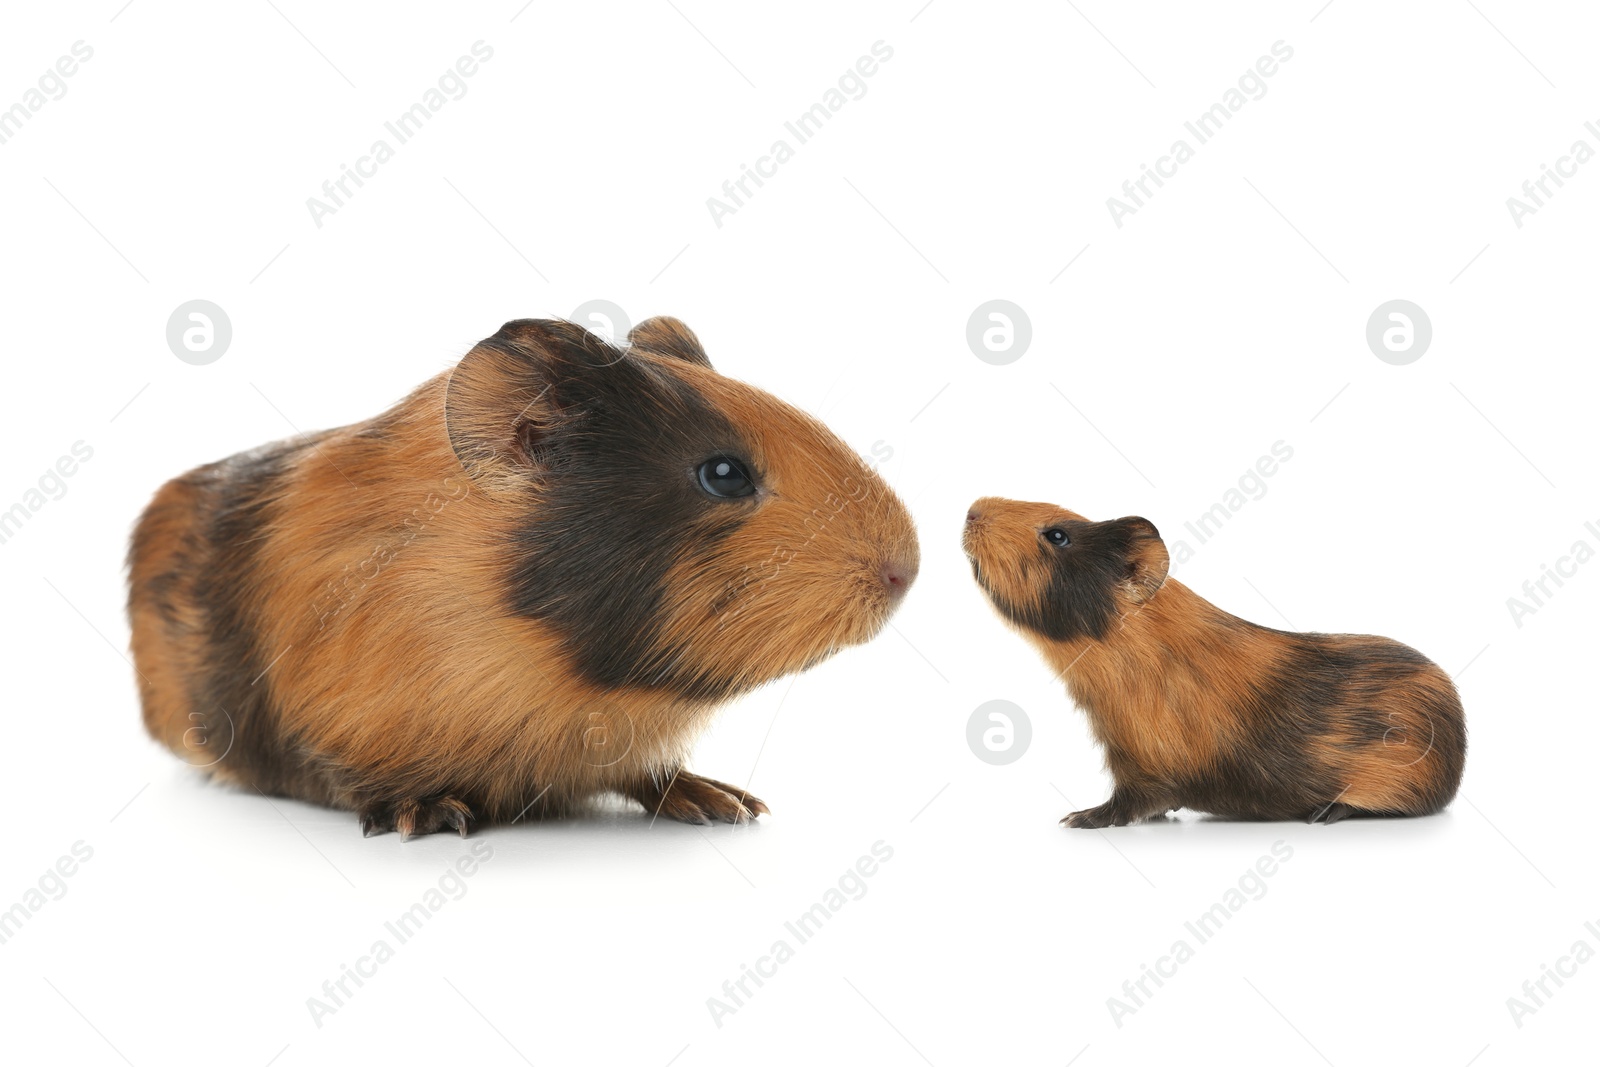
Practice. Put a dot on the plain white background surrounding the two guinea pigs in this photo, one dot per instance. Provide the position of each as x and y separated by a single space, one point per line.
1225 316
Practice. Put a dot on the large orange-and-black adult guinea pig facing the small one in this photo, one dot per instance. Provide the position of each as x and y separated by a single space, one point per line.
529 583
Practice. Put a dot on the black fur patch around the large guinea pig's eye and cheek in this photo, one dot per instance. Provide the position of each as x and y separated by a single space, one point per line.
618 510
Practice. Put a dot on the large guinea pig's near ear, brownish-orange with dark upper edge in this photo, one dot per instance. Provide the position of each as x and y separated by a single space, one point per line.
502 401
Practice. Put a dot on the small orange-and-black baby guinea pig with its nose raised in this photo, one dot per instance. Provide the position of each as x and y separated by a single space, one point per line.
1201 709
